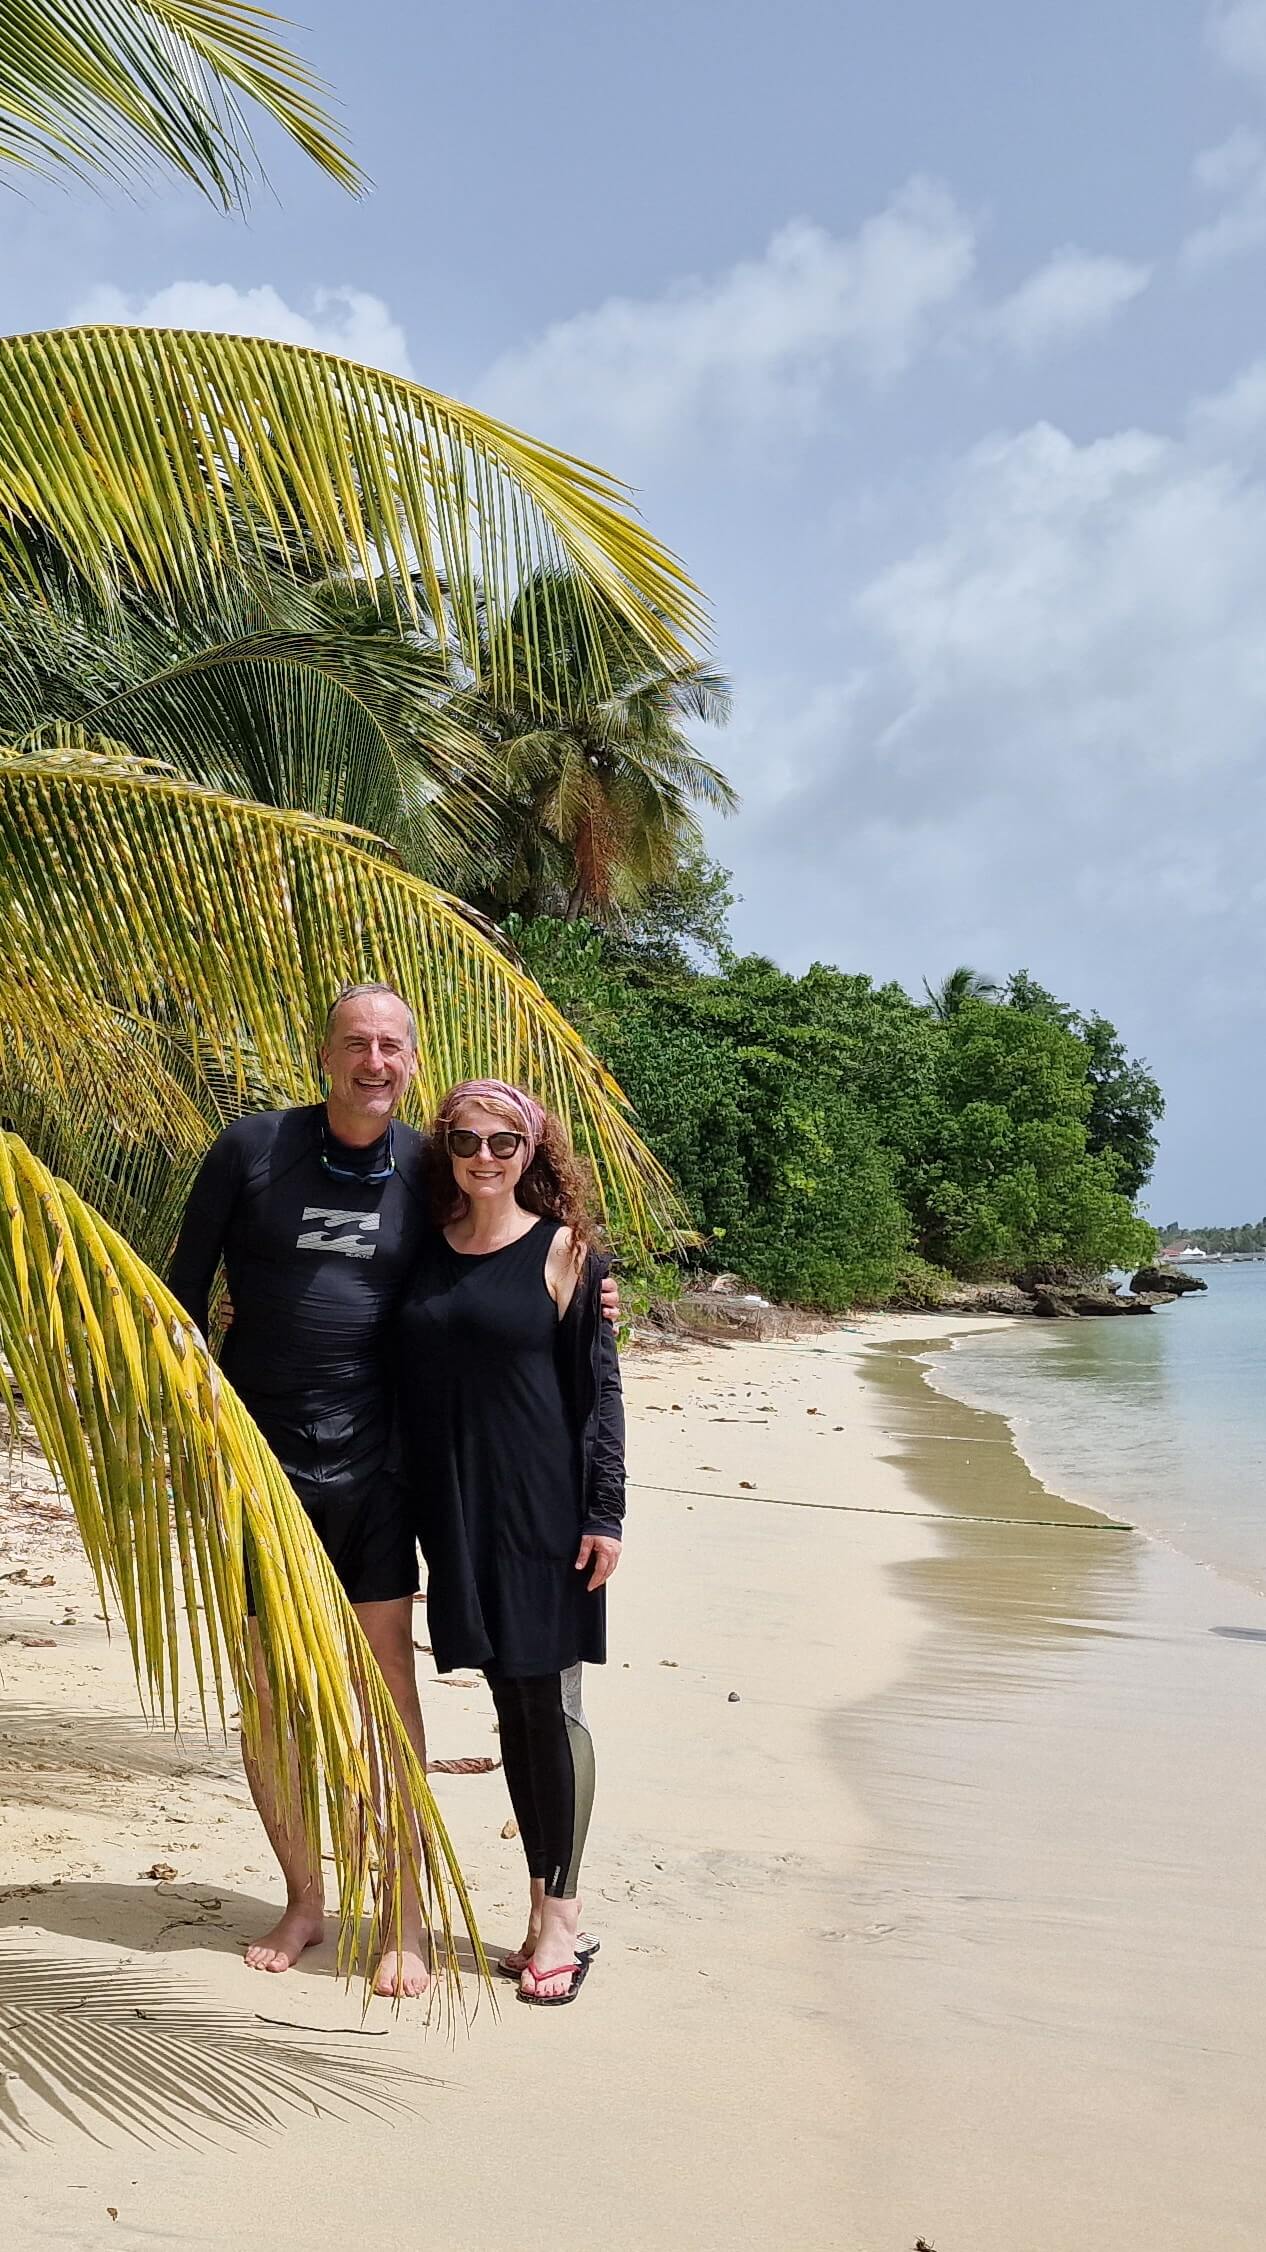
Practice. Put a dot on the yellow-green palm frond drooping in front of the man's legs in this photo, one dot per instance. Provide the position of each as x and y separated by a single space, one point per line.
175 1492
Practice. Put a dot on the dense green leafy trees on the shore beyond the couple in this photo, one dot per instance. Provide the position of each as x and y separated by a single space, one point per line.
835 1141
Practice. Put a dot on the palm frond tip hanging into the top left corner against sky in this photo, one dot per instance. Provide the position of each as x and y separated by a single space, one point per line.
130 89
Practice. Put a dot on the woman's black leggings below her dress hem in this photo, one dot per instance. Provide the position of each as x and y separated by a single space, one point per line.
546 1753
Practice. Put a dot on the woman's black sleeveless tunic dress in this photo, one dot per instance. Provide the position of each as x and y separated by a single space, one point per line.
494 1456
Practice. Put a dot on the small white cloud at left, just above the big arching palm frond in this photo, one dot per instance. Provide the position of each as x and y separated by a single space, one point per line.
346 321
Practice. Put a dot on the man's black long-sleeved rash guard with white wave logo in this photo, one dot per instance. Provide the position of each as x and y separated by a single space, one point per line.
316 1262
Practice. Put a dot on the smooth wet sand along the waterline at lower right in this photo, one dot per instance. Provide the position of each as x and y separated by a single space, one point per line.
1064 2017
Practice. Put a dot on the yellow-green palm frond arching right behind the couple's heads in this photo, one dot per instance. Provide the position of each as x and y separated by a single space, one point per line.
141 895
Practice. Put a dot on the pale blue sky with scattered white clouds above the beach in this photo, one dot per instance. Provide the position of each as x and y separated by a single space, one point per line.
931 339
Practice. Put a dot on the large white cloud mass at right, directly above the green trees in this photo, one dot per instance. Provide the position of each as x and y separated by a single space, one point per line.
1046 744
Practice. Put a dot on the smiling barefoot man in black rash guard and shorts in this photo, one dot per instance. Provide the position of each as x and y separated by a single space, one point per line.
319 1215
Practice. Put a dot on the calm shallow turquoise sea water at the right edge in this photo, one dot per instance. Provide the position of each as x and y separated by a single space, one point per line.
1159 1420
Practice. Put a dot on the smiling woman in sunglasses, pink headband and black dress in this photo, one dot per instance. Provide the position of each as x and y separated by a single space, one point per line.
512 1433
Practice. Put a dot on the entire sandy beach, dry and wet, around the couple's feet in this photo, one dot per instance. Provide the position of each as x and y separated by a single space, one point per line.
920 1875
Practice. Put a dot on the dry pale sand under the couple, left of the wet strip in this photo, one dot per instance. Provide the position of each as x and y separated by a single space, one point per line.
697 2091
